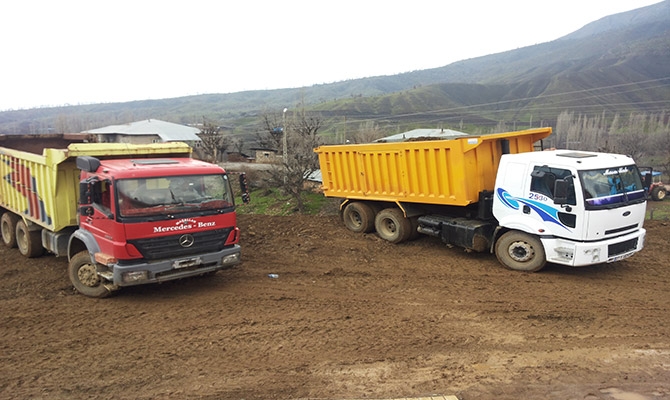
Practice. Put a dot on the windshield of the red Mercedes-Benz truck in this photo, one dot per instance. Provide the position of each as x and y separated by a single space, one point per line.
170 194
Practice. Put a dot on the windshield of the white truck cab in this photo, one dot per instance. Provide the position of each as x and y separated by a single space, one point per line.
612 187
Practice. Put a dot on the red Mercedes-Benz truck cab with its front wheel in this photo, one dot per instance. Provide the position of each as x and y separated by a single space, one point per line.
150 220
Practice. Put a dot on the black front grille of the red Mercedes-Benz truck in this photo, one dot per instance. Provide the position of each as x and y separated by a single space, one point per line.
168 246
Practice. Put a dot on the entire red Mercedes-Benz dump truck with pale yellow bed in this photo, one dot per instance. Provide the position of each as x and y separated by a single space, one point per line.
122 214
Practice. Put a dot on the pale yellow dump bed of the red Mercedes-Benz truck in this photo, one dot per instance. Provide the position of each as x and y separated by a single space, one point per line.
44 188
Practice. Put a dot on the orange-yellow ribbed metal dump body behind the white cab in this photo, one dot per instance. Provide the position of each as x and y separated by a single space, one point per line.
446 172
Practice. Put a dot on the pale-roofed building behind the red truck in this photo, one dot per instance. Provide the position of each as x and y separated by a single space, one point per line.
148 131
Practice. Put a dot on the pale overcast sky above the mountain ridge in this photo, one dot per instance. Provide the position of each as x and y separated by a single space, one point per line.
57 52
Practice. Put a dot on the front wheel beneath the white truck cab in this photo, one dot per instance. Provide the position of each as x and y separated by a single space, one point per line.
520 251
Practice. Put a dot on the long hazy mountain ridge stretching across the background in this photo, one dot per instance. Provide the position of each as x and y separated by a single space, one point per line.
618 64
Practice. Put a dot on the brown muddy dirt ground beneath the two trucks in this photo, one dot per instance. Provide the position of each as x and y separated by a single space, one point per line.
349 317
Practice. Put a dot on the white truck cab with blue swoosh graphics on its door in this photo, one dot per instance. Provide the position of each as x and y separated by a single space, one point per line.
586 208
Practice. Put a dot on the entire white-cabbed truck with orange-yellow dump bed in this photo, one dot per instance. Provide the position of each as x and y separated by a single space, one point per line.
492 193
